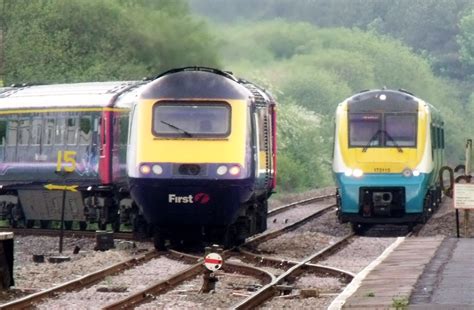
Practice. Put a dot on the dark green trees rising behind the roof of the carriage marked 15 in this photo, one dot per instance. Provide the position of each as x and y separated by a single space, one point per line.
83 40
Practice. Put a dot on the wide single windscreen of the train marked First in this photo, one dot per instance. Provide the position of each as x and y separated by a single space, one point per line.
186 120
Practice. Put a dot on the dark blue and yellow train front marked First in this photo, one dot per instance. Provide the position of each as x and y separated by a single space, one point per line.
201 156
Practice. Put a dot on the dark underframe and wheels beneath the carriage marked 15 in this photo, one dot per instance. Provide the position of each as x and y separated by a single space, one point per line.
38 207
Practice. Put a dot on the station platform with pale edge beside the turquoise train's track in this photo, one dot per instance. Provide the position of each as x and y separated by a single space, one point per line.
415 273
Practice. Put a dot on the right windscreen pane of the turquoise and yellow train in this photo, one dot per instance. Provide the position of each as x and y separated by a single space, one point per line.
400 130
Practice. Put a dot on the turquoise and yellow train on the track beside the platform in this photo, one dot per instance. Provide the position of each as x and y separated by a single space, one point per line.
388 150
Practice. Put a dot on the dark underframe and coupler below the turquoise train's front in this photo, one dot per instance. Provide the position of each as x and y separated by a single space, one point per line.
387 205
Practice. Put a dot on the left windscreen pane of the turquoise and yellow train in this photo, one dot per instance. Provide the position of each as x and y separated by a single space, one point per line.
364 129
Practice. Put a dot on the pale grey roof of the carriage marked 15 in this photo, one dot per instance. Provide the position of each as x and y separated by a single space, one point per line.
73 95
